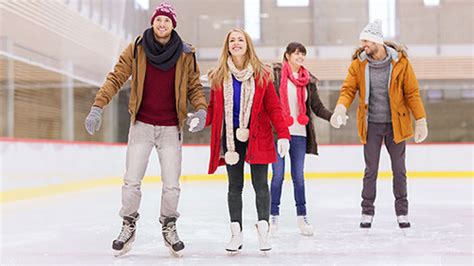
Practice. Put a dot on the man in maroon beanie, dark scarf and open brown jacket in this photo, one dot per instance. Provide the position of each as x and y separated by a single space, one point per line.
164 76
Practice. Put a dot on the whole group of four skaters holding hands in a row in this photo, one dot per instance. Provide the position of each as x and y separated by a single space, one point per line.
259 114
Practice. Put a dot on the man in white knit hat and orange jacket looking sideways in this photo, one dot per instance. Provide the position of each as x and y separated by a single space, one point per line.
388 93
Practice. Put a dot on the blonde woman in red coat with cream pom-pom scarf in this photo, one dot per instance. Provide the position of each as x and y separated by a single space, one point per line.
243 107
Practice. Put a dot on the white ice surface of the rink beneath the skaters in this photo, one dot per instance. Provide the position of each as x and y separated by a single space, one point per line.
77 228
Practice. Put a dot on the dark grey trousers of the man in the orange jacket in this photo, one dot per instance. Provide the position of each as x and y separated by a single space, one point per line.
376 134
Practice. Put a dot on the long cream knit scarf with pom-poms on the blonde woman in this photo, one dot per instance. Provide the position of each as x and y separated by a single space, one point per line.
247 92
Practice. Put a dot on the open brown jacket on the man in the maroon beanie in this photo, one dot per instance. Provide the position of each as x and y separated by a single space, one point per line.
187 84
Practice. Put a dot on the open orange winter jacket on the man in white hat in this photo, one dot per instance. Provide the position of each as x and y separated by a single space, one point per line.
403 92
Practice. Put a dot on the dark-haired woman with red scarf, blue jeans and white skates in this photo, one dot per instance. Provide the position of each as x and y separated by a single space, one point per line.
299 96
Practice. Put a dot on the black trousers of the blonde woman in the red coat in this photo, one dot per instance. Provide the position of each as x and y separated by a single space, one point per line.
259 174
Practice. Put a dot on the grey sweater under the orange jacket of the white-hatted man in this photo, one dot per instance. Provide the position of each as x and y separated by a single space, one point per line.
379 103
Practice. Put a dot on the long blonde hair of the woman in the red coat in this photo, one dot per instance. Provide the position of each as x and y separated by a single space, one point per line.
218 74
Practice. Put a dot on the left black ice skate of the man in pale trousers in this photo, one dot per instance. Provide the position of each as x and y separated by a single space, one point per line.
124 241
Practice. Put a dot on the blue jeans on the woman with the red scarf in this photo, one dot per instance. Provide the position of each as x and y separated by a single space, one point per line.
297 155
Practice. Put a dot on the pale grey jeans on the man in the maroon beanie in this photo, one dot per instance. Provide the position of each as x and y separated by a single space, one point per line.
142 138
